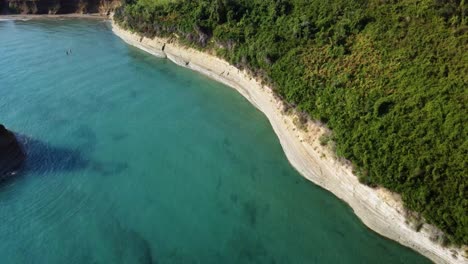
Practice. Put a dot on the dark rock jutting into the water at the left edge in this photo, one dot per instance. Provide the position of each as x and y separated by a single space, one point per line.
11 154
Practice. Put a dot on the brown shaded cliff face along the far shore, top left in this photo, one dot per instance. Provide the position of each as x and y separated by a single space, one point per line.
57 6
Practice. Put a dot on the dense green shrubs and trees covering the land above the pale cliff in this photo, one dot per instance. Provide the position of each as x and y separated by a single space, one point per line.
390 78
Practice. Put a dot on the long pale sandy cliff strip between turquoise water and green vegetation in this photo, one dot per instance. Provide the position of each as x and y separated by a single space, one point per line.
379 209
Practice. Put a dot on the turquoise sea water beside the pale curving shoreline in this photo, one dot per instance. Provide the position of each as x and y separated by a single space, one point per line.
135 160
